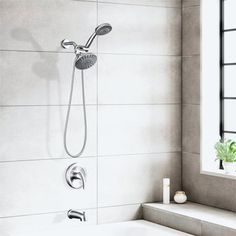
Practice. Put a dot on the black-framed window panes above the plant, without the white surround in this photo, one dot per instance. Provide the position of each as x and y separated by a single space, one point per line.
227 69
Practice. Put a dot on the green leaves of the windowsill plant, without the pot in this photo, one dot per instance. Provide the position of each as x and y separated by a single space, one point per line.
226 150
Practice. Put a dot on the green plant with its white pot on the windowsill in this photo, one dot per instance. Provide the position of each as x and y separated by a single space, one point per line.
226 151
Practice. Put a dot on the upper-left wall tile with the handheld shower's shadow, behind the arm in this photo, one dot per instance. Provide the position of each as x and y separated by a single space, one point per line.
41 25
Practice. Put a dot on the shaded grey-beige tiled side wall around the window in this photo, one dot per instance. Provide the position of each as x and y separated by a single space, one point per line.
208 190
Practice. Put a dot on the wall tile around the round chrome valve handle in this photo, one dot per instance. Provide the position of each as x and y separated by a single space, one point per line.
30 187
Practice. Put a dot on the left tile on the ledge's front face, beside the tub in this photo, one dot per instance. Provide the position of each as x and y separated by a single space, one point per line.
185 224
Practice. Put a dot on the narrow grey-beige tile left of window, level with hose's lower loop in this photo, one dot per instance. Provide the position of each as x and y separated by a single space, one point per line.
191 128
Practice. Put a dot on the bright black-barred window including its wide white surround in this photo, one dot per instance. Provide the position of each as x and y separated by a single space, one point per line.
218 79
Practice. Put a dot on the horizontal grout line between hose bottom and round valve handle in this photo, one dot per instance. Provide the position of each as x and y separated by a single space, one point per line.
85 157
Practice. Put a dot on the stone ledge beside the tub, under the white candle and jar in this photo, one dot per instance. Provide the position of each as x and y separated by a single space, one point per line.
192 218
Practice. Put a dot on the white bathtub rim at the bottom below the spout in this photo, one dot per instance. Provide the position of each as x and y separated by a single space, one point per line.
130 228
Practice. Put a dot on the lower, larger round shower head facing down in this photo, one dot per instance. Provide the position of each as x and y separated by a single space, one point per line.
85 60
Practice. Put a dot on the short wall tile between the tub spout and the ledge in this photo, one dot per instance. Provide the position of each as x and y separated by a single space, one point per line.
119 213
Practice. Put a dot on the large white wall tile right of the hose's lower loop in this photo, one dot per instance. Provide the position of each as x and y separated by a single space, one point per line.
138 129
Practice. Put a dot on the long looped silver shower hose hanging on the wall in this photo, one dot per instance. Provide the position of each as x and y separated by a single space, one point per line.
68 114
